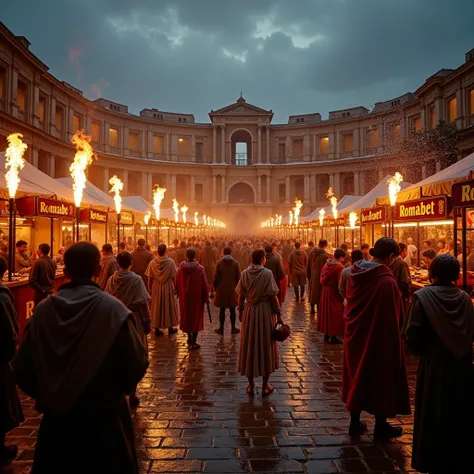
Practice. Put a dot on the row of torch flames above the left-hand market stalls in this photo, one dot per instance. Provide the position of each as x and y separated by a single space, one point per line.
83 158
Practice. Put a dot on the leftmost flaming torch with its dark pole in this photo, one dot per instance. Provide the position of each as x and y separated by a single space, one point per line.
14 162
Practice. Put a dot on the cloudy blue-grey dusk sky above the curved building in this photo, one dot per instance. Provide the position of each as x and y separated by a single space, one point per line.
294 57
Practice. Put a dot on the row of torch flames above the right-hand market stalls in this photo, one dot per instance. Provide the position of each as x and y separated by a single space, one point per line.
394 187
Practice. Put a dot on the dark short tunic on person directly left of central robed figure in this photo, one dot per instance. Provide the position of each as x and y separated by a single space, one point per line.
225 281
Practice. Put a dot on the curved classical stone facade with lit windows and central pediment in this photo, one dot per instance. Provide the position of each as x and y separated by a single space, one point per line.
239 167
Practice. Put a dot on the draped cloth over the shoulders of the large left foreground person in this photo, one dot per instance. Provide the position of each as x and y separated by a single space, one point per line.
71 333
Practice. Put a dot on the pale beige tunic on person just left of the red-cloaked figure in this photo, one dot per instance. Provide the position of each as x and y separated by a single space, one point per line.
164 307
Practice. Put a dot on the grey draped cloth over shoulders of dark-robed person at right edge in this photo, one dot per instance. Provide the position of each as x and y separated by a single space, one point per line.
451 313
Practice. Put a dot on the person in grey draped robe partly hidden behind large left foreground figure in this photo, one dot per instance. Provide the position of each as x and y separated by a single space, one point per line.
129 288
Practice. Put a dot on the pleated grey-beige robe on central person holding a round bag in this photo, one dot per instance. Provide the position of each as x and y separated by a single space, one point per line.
258 354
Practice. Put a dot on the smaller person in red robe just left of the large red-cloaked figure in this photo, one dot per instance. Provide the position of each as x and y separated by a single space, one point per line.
331 309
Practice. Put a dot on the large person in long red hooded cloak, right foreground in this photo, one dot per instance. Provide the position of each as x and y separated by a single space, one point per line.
374 376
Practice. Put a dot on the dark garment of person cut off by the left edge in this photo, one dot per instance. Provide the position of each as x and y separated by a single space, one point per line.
11 414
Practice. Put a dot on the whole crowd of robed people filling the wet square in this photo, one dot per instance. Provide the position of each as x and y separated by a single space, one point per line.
85 349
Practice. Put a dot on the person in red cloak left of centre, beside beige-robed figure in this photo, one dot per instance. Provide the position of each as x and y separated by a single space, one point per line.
192 289
